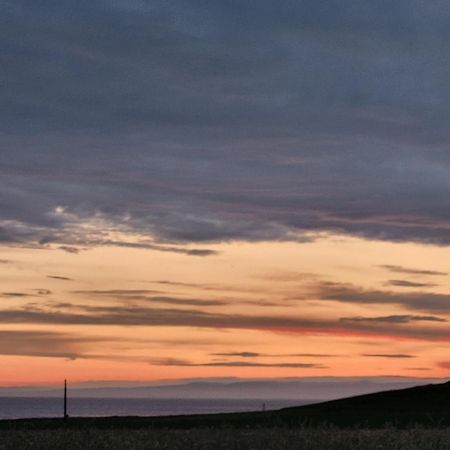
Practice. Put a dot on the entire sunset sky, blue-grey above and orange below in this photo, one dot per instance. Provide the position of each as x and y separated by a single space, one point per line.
224 188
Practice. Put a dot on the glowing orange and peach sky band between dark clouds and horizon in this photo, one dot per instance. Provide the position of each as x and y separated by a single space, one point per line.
256 310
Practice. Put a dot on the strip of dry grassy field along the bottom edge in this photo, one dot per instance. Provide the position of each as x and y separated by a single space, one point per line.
322 438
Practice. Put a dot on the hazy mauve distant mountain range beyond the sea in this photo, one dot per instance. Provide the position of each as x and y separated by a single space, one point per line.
312 388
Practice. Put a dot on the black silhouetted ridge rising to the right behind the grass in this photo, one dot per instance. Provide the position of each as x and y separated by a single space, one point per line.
424 405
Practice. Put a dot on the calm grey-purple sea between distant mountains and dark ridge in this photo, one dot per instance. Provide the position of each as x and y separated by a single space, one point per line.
18 407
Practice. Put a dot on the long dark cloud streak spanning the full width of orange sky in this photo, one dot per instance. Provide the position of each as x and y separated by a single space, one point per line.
133 315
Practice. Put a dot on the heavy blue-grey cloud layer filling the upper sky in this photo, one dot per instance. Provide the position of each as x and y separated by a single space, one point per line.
208 121
